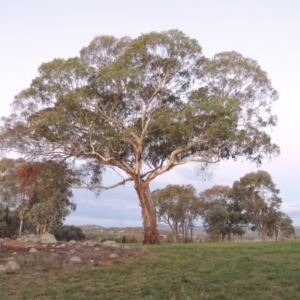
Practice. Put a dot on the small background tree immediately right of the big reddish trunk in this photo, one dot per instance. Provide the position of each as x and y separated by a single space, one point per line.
178 206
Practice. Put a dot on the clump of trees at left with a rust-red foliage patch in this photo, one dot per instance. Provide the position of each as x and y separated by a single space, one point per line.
41 190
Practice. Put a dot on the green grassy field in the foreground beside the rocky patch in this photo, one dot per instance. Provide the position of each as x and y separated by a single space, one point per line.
187 271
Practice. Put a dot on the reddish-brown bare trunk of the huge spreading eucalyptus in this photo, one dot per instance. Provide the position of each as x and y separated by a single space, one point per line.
151 235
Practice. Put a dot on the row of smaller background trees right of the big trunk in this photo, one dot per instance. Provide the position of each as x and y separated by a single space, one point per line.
252 202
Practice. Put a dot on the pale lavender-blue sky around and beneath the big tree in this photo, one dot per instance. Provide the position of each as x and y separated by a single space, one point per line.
34 31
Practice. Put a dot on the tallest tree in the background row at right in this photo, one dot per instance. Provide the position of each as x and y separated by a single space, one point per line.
261 200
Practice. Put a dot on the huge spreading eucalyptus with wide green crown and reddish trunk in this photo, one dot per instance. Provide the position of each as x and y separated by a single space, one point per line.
144 106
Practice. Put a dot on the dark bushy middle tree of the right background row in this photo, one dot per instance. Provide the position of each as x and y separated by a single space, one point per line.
222 215
